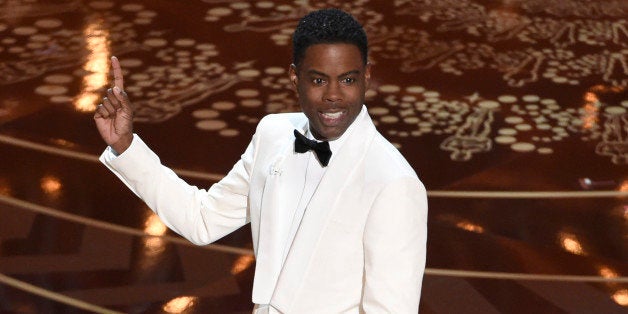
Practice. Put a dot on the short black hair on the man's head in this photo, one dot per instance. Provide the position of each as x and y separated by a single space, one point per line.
327 26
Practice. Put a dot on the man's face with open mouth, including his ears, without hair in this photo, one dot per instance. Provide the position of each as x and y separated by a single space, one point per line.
331 82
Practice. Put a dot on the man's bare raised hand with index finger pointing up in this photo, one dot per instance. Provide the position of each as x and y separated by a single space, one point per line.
114 117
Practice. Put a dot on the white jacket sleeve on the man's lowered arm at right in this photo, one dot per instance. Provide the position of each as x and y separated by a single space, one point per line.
395 238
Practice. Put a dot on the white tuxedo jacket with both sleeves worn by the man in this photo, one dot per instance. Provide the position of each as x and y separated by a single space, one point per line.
361 244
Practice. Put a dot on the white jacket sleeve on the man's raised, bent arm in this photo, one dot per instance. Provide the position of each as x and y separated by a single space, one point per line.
201 216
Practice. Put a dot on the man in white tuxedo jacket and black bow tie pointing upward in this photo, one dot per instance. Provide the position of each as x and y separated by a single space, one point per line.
339 233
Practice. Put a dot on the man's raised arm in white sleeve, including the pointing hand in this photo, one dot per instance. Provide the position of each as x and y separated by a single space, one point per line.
202 216
